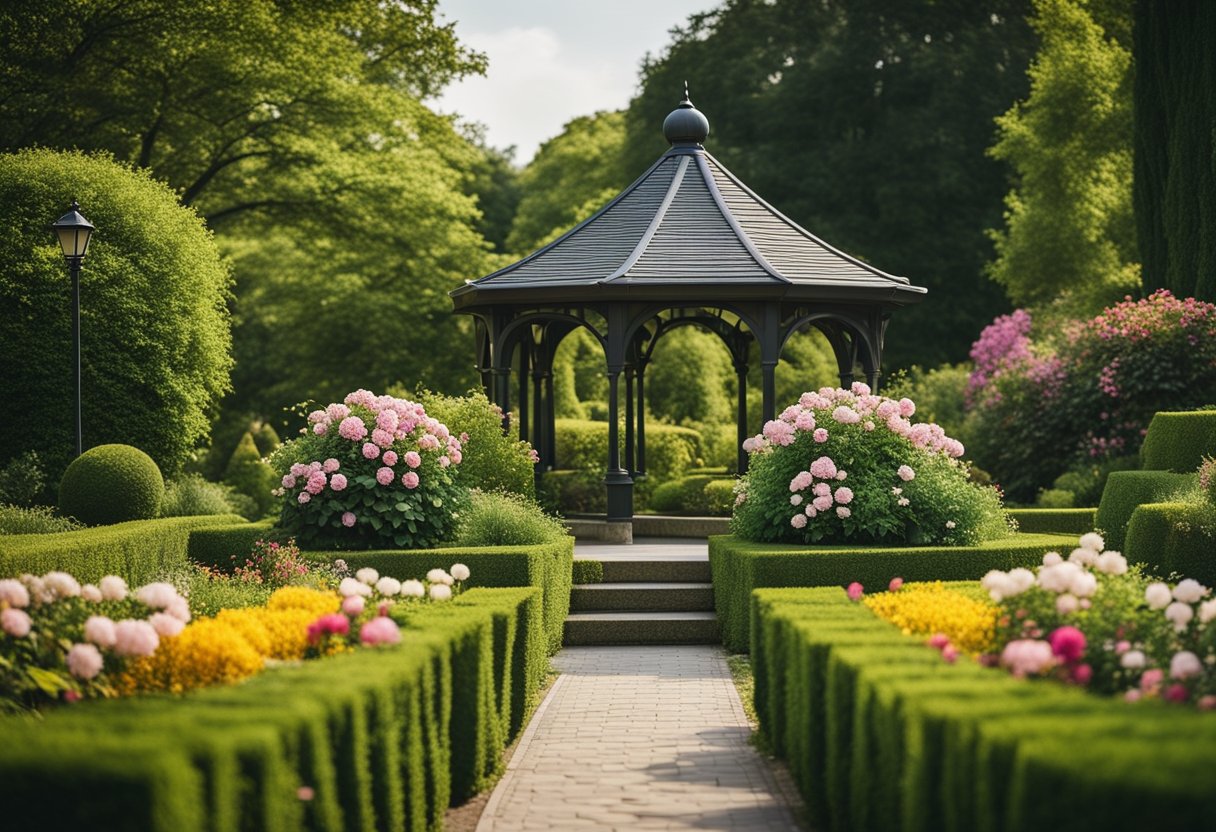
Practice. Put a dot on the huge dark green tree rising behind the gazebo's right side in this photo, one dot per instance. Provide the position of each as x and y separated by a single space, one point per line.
868 122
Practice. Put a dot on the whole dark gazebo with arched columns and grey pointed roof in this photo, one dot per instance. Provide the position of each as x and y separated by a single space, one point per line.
686 245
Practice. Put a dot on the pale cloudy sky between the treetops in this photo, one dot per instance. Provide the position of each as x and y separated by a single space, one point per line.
553 60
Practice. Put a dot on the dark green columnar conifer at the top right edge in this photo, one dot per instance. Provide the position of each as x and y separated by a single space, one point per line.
1175 185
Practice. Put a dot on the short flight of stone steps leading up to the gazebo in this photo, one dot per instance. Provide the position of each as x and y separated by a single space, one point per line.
650 601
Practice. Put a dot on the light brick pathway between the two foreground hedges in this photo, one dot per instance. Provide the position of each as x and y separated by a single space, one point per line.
638 739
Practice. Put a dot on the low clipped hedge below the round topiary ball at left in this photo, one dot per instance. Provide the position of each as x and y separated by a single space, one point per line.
137 552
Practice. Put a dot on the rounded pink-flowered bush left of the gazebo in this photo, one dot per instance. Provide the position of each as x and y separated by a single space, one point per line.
373 471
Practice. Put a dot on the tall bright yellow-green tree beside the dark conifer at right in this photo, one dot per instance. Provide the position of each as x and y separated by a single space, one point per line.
1069 235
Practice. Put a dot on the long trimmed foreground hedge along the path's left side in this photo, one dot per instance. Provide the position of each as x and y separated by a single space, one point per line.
382 738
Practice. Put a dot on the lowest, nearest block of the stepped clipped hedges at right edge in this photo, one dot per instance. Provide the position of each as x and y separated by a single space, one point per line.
1174 538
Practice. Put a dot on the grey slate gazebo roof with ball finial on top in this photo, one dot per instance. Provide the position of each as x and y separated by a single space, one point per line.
689 224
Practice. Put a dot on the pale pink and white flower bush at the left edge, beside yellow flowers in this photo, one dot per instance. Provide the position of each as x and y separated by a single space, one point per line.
63 642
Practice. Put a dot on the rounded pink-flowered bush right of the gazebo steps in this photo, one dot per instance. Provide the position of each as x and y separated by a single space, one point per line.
847 465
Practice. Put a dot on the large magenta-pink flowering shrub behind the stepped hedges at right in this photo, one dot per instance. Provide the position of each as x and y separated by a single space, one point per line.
1088 393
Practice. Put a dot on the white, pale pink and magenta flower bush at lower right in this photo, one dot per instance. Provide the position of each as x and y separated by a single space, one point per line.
1091 620
